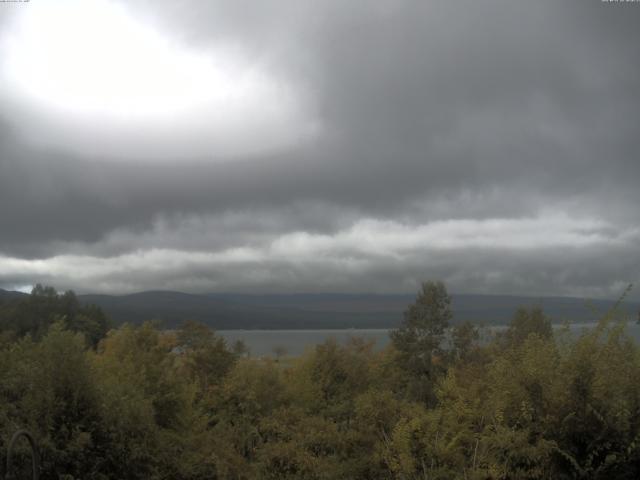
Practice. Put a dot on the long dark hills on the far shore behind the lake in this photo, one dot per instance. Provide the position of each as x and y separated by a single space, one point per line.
312 311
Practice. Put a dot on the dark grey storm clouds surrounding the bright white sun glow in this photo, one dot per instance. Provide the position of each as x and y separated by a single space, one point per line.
428 111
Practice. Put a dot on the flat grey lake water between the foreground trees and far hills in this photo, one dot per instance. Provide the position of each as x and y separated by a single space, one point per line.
295 342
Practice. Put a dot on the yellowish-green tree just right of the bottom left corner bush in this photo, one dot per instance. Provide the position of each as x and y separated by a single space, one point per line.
148 405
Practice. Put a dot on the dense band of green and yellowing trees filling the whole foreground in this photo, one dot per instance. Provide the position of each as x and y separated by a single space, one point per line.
138 402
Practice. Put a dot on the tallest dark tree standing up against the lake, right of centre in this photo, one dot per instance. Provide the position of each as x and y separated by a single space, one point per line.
419 339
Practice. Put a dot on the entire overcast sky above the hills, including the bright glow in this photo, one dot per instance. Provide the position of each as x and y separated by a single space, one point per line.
288 146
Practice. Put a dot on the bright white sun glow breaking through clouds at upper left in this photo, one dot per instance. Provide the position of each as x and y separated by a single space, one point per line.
89 64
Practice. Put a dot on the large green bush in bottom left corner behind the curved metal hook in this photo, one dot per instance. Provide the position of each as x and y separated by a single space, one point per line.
48 388
